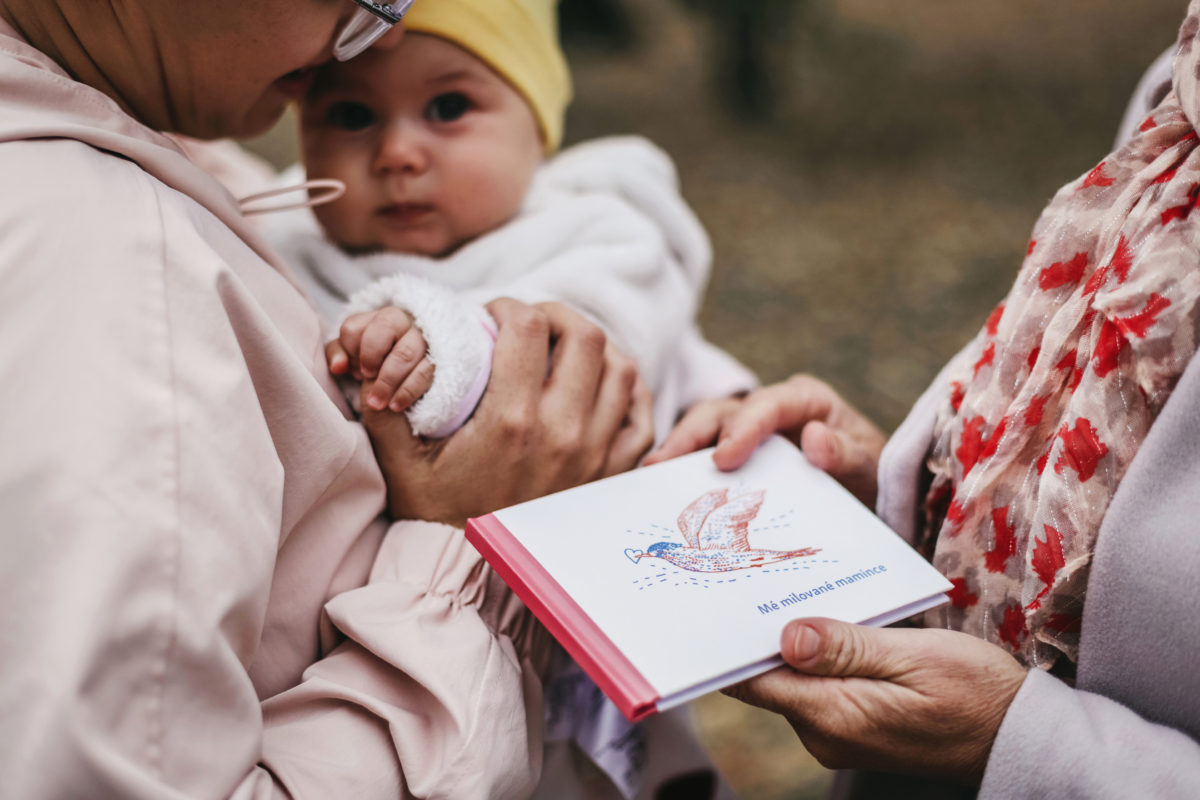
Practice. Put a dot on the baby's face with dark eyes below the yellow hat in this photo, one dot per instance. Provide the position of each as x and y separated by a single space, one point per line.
435 148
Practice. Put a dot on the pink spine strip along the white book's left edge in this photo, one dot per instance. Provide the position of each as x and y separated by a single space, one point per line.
563 618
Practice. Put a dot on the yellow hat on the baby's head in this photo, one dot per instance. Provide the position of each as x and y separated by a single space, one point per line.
518 39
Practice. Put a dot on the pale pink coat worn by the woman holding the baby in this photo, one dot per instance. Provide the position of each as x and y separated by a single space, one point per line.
193 599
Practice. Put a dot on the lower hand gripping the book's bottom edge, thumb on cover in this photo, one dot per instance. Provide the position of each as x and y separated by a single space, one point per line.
926 702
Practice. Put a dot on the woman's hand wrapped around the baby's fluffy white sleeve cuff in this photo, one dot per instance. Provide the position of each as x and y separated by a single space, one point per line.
562 408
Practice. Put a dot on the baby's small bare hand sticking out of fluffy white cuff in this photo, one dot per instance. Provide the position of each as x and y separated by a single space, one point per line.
383 346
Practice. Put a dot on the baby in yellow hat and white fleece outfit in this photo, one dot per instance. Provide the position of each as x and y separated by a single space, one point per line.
447 146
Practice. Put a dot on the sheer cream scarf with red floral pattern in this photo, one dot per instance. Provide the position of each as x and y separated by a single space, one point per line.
1049 405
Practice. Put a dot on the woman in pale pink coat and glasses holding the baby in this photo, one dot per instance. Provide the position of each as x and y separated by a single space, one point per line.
197 601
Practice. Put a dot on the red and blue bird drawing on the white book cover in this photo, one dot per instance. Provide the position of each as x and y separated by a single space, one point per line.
717 531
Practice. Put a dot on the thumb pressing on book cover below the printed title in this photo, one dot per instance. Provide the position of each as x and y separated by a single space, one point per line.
835 649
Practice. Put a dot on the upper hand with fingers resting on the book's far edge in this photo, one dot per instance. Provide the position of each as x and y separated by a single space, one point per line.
835 436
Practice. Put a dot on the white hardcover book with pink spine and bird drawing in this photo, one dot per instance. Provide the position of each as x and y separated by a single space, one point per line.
676 580
